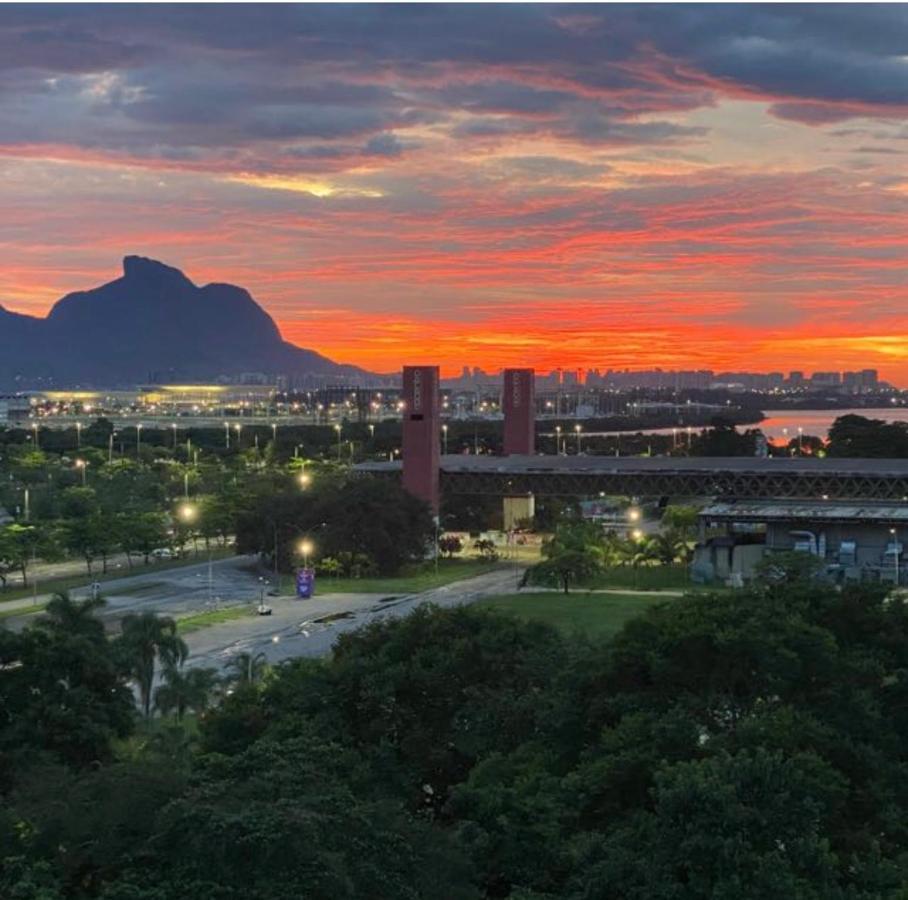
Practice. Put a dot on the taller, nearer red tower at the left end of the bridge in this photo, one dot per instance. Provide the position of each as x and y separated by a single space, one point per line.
421 427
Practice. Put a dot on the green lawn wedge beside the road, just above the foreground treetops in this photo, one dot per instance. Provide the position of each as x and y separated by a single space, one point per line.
593 615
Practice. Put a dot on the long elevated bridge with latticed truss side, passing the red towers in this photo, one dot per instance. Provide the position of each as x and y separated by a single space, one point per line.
741 477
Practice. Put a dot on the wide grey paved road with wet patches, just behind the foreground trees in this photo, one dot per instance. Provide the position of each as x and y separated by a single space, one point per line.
302 627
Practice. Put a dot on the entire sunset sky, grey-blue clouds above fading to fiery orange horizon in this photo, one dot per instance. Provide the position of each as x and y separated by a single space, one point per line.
597 186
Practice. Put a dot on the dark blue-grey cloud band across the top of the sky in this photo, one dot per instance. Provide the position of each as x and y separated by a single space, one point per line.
204 76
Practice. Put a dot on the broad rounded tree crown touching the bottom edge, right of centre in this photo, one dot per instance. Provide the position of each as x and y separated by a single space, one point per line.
749 825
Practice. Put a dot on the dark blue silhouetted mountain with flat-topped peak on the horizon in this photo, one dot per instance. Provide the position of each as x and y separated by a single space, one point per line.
153 323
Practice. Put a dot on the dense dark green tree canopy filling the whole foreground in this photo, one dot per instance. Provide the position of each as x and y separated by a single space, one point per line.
736 745
